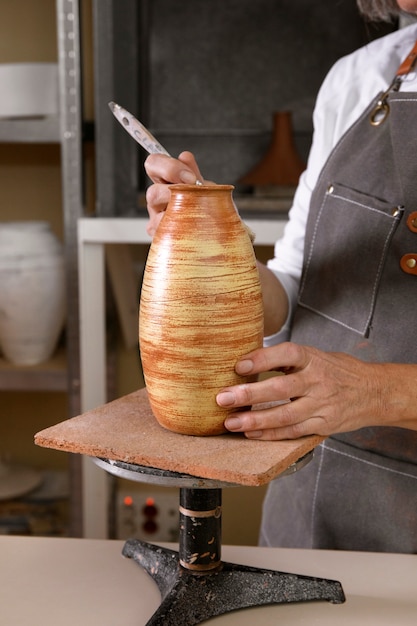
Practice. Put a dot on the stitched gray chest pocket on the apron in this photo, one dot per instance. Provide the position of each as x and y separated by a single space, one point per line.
346 256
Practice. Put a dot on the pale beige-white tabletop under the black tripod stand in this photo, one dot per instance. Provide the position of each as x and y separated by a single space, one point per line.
63 582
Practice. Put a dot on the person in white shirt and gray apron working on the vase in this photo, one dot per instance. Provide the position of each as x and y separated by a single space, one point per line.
340 300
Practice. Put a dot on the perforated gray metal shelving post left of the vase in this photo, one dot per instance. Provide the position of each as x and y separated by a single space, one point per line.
70 135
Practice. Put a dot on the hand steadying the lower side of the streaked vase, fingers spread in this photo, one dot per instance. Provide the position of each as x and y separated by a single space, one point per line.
330 393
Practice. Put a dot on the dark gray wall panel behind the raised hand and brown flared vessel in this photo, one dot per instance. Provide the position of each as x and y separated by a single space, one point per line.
218 69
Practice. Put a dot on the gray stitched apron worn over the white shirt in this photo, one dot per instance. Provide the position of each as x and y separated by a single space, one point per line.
358 294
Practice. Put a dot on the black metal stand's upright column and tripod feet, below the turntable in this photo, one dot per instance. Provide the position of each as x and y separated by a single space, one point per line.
196 585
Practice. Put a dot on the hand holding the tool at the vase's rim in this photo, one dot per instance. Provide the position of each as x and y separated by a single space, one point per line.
164 170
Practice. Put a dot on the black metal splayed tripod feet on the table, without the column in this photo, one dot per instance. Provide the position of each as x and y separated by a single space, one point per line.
189 597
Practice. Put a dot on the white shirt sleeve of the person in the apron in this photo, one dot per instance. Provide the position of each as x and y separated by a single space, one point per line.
349 87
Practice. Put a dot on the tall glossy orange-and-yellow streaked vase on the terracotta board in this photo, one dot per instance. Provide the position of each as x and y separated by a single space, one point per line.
200 308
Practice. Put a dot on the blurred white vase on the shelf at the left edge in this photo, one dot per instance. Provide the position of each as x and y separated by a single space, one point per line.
32 291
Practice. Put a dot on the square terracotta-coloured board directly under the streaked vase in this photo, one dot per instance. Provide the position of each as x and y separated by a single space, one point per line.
126 430
